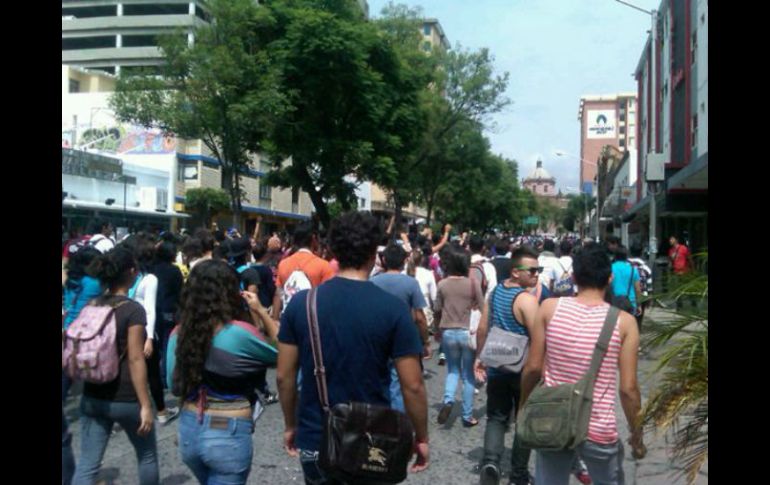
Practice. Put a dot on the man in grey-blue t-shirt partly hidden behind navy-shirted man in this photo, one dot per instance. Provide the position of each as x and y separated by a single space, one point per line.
406 289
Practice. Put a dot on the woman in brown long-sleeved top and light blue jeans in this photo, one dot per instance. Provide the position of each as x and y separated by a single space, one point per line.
457 295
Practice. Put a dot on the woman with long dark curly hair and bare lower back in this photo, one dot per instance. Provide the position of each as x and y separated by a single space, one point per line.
213 360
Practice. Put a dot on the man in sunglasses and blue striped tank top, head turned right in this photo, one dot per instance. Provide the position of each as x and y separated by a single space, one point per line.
510 307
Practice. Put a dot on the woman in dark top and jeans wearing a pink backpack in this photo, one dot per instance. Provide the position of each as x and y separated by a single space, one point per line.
125 400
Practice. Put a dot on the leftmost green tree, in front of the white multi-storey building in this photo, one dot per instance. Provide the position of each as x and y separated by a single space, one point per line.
223 89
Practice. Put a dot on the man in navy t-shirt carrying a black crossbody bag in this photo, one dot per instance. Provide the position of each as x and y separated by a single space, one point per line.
362 328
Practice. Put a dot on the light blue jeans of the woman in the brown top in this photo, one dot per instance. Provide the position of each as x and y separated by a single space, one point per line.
459 358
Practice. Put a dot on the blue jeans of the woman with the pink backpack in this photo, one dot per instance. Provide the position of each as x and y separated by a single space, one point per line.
96 419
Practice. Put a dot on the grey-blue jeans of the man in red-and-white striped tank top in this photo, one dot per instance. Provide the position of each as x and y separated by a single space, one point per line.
604 463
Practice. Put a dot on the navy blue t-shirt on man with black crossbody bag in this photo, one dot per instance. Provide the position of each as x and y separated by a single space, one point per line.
362 327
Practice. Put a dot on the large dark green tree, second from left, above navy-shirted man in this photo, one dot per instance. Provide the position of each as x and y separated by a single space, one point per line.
343 80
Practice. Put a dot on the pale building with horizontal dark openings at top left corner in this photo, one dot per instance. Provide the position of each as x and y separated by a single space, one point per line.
110 35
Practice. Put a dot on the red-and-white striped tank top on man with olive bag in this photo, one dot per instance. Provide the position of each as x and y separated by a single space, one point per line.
570 338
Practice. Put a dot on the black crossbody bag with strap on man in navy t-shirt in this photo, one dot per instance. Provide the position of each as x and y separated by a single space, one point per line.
361 443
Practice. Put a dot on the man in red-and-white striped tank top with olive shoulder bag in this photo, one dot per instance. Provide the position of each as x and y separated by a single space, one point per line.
561 347
